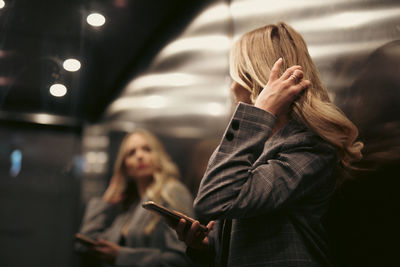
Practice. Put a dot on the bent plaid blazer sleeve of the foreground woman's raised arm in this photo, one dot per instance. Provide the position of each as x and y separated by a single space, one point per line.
234 187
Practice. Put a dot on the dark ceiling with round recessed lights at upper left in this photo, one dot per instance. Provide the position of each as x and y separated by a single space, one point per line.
37 36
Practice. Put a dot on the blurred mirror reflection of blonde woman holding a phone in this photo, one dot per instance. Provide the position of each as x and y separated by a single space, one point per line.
128 234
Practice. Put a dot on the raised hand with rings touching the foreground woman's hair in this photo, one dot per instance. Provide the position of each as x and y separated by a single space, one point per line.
281 92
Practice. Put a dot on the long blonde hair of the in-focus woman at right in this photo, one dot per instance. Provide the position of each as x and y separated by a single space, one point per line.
251 60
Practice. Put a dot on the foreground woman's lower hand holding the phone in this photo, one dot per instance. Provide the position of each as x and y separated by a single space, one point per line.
193 237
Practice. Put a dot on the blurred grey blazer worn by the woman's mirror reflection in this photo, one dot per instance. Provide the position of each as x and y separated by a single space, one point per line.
159 248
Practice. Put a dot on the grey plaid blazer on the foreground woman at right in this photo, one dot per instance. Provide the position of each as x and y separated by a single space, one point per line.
275 191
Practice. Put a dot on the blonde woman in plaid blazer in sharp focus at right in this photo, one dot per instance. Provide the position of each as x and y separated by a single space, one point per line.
269 182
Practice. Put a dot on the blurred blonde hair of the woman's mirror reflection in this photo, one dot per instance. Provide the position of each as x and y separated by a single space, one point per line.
166 172
